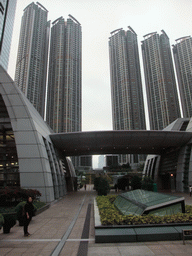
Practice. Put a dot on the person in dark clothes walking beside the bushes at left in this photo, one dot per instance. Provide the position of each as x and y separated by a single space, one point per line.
28 214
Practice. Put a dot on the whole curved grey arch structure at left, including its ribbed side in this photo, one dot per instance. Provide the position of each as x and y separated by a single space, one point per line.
37 160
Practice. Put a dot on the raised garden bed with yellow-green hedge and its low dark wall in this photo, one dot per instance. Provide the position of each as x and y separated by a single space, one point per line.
112 226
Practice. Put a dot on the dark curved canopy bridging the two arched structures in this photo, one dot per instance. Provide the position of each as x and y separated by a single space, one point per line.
119 142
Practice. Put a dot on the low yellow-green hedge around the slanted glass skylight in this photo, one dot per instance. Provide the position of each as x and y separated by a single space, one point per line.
110 215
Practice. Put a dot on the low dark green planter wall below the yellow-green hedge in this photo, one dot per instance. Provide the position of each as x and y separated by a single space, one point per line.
137 233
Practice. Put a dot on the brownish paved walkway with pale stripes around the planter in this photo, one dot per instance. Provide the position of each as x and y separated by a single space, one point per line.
67 228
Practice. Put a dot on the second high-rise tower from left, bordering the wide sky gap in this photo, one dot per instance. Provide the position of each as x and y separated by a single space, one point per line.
64 84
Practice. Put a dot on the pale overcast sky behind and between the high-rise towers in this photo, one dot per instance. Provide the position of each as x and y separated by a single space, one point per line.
98 18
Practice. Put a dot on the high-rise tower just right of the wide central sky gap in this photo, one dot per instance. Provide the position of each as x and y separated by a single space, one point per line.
126 86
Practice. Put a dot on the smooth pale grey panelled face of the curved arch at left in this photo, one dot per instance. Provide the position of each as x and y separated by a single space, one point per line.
29 130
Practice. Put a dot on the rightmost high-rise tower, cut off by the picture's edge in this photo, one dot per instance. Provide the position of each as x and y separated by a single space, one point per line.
182 52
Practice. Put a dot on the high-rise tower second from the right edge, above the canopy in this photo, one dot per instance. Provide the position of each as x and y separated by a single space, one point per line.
162 96
